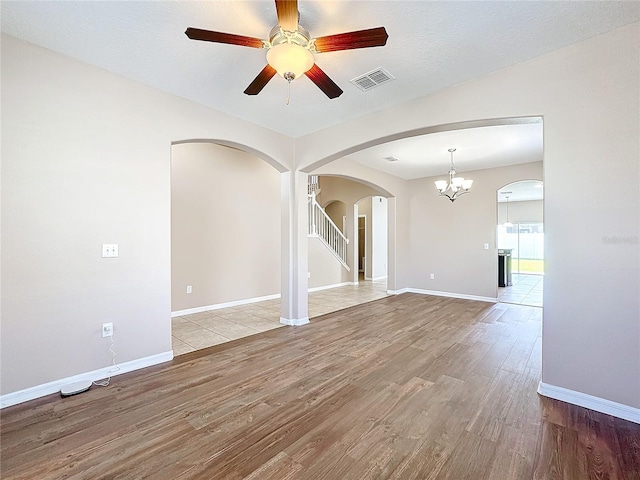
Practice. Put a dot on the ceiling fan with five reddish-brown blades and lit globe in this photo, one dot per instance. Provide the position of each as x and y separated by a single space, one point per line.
290 48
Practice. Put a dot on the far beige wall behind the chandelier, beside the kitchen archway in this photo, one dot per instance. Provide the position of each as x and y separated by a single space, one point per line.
447 239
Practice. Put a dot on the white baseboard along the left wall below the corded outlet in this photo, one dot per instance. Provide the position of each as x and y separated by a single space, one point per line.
38 391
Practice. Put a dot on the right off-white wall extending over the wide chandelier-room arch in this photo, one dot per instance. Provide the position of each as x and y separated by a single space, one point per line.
589 97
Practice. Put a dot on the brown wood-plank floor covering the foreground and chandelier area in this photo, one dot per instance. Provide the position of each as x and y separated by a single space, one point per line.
406 387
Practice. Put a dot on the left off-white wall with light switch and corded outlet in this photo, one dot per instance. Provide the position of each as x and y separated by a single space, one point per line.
85 161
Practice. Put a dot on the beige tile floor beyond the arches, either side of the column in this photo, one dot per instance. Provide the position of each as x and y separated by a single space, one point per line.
205 329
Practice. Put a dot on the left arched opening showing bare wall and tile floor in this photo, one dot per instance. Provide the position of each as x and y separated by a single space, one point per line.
225 244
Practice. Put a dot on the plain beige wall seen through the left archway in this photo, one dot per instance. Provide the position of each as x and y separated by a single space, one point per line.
225 226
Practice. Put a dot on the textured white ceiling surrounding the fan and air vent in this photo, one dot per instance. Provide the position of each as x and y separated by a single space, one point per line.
431 45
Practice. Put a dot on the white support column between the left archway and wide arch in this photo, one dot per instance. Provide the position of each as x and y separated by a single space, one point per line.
294 306
